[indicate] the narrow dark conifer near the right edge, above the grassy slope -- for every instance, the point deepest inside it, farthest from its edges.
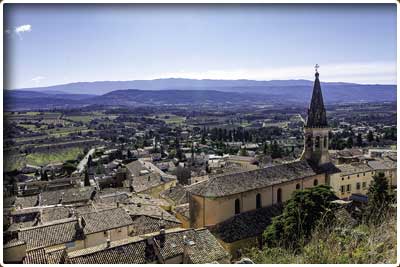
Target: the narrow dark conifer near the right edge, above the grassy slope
(378, 198)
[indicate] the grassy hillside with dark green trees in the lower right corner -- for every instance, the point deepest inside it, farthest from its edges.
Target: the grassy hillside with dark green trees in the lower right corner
(335, 236)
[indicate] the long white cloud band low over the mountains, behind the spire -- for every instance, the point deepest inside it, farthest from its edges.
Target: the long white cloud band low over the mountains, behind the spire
(366, 73)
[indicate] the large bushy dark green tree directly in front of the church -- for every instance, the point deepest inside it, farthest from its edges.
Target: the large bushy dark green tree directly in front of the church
(303, 211)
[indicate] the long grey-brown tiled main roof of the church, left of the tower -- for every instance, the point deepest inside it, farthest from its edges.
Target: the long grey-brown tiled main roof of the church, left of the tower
(234, 183)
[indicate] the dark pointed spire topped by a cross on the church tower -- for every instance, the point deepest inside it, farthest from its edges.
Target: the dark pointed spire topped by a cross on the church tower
(316, 113)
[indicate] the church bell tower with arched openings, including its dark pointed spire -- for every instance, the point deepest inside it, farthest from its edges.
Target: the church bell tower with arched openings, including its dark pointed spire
(316, 130)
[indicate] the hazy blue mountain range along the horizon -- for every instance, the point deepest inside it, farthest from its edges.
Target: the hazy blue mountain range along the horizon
(190, 91)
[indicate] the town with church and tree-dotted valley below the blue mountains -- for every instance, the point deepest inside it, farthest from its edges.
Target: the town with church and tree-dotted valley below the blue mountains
(193, 185)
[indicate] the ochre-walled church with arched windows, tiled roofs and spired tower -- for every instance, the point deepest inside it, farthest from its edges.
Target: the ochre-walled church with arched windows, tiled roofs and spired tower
(237, 207)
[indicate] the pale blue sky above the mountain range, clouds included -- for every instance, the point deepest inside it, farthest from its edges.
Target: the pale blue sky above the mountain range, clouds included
(56, 44)
